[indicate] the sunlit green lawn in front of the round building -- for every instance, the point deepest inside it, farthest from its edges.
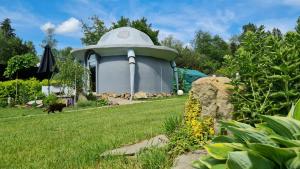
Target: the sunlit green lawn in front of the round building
(75, 139)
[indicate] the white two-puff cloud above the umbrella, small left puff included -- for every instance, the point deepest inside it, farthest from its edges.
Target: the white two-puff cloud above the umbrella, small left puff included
(70, 27)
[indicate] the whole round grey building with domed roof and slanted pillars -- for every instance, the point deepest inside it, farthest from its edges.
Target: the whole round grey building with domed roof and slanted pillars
(125, 60)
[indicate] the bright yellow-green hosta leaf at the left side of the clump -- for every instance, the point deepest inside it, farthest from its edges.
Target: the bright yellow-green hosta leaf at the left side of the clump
(220, 150)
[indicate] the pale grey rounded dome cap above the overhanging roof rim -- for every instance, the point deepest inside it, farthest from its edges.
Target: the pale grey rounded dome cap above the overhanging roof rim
(124, 36)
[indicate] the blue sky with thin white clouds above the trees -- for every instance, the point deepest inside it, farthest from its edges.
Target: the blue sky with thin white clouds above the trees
(181, 18)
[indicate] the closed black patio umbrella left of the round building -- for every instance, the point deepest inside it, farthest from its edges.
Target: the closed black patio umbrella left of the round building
(47, 65)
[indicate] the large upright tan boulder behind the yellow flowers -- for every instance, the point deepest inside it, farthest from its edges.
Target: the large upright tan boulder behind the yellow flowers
(213, 94)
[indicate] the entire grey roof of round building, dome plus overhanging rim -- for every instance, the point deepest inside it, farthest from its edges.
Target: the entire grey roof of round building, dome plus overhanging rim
(117, 42)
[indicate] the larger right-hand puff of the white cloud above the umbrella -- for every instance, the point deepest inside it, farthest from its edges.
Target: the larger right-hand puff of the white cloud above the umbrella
(69, 26)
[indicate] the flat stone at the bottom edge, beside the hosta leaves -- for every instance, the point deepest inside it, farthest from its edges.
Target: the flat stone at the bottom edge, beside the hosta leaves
(185, 161)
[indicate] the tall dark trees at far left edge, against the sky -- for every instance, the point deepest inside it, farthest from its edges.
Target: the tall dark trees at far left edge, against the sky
(10, 44)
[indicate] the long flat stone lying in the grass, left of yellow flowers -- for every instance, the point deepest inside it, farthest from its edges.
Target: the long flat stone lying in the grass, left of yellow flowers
(130, 150)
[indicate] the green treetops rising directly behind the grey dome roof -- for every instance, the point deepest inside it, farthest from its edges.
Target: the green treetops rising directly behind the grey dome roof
(93, 32)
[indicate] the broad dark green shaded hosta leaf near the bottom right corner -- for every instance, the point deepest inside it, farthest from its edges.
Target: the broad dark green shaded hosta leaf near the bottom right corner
(276, 154)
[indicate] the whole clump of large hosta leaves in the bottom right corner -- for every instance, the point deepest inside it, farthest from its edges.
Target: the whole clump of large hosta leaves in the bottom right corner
(275, 143)
